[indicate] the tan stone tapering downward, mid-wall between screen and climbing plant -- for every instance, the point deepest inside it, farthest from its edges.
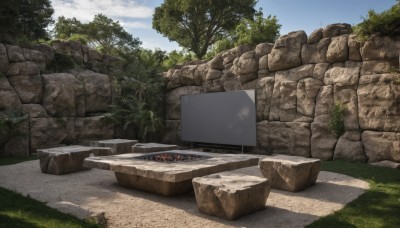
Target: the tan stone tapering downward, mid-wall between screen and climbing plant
(307, 91)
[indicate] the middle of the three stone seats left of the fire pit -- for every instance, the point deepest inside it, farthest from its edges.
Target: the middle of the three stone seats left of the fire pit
(117, 146)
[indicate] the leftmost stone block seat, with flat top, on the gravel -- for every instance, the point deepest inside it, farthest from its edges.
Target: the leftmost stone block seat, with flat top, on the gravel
(67, 159)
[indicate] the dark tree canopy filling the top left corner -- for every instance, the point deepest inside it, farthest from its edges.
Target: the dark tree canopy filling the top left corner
(25, 19)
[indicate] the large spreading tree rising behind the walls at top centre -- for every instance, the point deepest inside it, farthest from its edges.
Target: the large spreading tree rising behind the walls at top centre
(196, 25)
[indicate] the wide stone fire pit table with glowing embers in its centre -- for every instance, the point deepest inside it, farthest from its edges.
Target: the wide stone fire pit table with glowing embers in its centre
(167, 173)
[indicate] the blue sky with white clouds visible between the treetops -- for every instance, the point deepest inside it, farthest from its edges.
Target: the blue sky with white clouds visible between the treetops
(136, 15)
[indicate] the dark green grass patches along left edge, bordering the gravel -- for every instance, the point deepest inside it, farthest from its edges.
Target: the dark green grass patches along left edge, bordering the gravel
(19, 211)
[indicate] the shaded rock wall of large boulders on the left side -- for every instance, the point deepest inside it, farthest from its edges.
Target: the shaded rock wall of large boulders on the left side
(51, 107)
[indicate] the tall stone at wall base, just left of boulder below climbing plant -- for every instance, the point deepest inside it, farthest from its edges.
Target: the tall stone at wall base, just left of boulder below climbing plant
(323, 140)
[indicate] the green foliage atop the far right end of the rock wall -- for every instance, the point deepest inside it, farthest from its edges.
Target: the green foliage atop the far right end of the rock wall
(386, 23)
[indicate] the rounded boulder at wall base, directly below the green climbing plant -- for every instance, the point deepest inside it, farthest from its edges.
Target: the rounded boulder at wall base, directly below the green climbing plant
(349, 147)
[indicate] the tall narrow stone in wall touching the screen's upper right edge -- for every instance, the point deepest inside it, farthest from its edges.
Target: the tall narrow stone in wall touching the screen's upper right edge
(264, 90)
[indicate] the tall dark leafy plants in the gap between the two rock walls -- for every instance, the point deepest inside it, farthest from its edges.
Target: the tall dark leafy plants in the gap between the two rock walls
(139, 99)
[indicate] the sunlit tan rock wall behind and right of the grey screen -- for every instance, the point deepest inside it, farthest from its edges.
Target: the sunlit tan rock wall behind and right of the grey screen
(298, 80)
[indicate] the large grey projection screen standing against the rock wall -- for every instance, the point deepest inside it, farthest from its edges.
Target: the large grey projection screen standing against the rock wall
(221, 118)
